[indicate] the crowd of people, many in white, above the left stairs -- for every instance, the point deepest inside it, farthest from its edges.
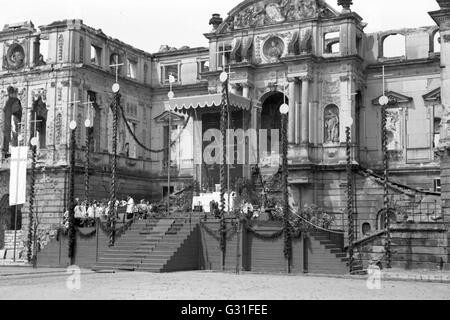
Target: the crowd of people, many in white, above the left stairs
(88, 212)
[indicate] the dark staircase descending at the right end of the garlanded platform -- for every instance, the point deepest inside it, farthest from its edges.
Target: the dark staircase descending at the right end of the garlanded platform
(332, 247)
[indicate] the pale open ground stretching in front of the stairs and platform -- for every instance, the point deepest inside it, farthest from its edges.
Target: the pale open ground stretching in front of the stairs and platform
(204, 286)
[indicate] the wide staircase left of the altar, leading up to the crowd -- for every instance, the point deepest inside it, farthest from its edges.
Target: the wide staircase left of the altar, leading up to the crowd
(149, 246)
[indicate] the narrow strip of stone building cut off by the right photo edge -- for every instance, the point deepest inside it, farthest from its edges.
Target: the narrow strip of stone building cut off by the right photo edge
(442, 18)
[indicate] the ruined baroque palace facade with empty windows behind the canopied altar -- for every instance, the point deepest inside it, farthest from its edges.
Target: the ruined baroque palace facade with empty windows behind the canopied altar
(320, 61)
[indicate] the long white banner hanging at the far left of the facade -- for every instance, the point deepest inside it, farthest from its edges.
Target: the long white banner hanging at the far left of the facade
(18, 176)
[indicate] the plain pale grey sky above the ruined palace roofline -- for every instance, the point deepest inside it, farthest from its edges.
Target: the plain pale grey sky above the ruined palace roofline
(147, 24)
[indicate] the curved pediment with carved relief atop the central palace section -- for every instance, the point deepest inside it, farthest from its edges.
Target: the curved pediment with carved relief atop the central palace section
(257, 13)
